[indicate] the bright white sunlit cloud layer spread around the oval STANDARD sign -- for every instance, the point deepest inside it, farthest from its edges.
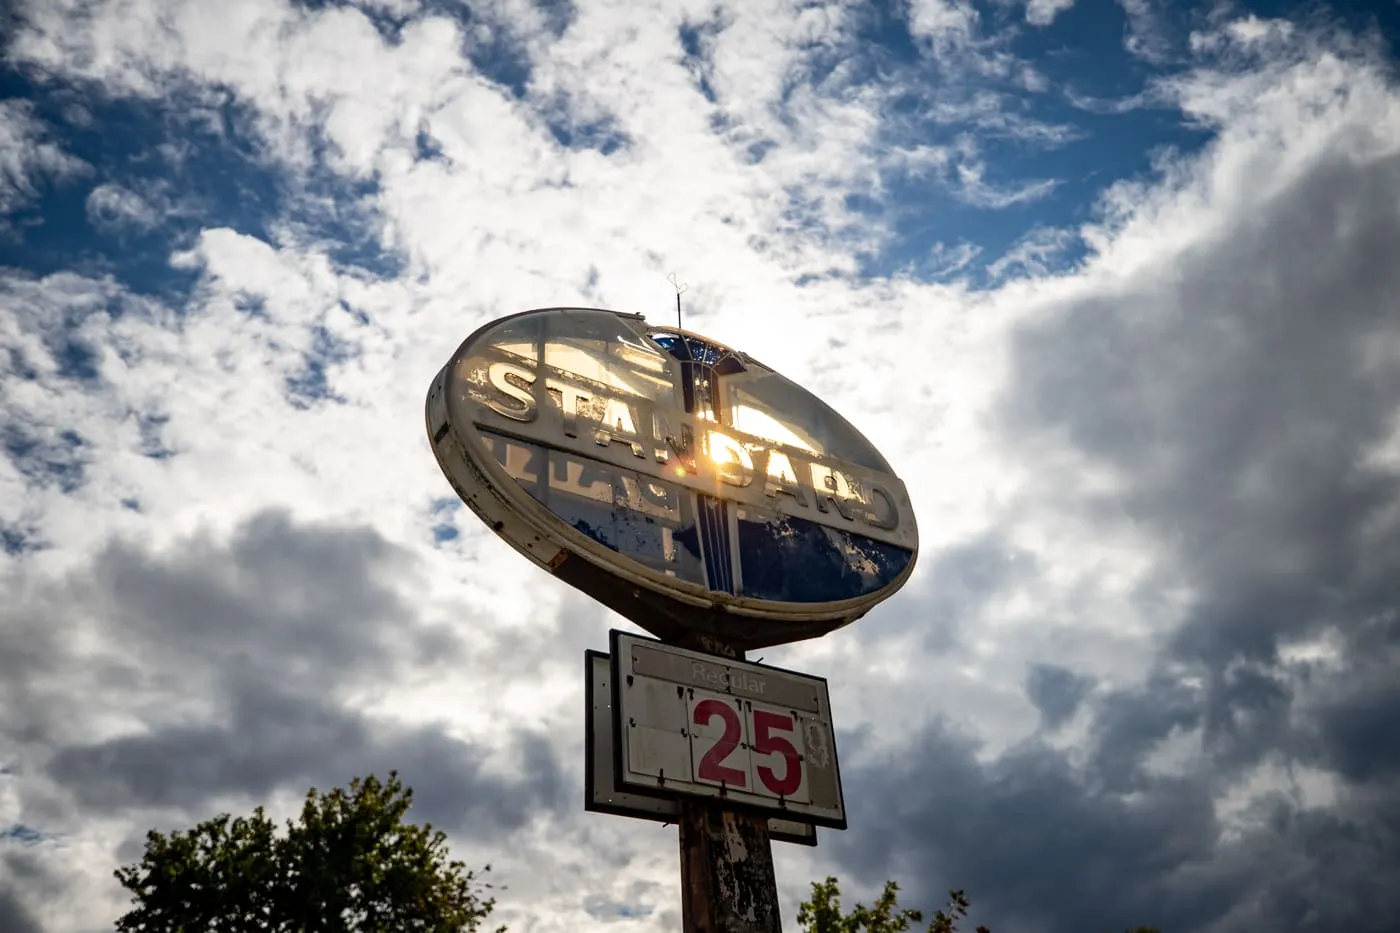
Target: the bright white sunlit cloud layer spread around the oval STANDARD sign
(509, 218)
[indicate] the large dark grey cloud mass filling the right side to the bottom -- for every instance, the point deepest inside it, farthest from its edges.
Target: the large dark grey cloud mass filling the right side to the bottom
(1238, 397)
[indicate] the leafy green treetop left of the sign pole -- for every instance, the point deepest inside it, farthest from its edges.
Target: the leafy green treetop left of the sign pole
(349, 865)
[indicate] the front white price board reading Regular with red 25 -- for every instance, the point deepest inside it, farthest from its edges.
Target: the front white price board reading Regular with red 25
(702, 726)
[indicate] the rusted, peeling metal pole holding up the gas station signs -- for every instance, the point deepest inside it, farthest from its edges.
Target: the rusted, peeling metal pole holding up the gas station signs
(727, 882)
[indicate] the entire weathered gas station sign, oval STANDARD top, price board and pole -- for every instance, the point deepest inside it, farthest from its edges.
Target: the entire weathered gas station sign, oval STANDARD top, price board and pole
(723, 509)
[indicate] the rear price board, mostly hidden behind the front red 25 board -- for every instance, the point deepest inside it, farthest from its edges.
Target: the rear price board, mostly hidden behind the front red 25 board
(600, 782)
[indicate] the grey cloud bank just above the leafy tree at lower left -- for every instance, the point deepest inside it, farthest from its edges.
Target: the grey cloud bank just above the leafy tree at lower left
(258, 641)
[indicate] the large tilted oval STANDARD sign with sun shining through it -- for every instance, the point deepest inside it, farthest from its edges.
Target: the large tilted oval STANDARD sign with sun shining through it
(680, 483)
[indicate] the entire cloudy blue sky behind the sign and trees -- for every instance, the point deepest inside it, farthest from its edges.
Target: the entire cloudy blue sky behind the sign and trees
(1111, 285)
